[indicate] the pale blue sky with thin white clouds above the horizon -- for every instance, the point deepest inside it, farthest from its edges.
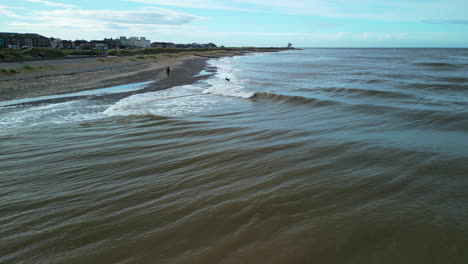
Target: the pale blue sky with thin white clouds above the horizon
(265, 23)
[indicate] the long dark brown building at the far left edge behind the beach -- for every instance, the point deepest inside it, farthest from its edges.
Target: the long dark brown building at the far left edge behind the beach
(18, 40)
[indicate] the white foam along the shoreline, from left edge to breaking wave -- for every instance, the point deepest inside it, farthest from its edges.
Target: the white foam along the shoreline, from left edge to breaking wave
(209, 95)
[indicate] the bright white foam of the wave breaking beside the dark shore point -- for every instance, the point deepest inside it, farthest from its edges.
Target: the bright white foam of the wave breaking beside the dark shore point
(188, 99)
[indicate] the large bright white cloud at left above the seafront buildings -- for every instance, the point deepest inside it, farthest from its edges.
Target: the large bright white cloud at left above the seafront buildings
(88, 24)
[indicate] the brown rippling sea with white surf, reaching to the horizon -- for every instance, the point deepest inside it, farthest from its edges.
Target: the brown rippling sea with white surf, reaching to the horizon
(303, 156)
